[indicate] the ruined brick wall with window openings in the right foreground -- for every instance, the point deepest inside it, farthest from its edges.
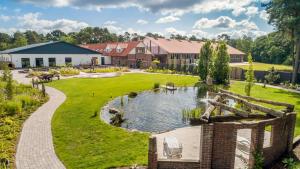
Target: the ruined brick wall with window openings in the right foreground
(218, 144)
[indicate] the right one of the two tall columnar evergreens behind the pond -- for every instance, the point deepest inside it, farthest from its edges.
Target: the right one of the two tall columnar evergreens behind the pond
(221, 64)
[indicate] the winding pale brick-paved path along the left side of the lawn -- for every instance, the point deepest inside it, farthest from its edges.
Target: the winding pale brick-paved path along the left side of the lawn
(35, 148)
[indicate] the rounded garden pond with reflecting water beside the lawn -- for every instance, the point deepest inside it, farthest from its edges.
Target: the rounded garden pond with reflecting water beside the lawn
(157, 111)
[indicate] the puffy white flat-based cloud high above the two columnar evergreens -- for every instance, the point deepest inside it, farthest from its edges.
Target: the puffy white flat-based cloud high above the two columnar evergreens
(220, 22)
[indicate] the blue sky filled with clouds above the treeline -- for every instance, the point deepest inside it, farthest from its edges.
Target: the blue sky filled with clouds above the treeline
(202, 18)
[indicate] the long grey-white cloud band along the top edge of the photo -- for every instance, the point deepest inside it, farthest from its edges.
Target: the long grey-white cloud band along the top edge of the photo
(166, 7)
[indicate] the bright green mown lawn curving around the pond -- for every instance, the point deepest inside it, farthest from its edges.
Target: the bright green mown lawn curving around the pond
(83, 141)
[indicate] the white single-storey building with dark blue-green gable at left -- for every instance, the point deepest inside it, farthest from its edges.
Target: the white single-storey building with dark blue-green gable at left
(51, 54)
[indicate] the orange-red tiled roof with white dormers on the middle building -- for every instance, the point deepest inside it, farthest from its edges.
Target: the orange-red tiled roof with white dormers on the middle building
(125, 47)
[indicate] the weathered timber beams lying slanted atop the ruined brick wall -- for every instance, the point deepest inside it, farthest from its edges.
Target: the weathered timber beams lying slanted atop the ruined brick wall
(249, 104)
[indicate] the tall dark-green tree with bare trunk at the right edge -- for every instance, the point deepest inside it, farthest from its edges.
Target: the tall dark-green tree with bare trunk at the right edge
(285, 16)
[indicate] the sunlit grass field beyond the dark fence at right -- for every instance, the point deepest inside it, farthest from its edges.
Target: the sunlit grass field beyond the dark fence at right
(266, 67)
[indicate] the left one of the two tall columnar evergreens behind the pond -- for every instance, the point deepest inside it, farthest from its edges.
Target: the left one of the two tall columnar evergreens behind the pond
(205, 60)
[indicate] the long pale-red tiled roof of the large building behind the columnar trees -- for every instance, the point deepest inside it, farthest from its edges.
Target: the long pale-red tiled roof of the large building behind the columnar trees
(184, 46)
